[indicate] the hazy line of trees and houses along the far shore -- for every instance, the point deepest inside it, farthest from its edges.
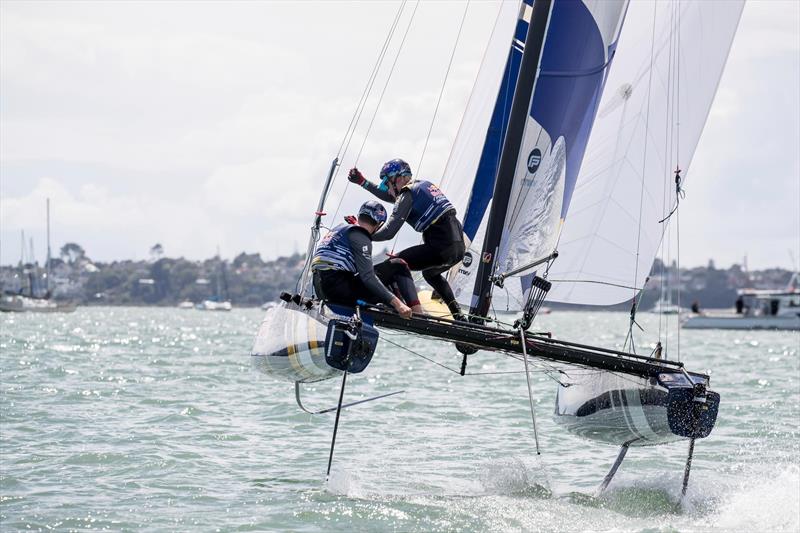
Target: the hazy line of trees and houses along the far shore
(248, 280)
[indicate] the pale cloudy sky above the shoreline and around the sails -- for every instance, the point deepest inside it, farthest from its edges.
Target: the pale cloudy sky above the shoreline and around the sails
(205, 124)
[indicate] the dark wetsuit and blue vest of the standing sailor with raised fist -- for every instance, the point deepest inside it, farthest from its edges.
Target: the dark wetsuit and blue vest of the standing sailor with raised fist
(425, 208)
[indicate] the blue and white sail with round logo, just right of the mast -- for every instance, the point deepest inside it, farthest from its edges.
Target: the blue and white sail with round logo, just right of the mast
(579, 44)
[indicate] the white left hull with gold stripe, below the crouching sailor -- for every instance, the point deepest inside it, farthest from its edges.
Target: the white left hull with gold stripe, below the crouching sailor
(290, 345)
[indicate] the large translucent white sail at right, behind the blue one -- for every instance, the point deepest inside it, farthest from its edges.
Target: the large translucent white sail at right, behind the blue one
(668, 64)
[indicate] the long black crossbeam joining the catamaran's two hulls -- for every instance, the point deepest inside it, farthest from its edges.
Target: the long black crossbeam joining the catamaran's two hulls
(504, 340)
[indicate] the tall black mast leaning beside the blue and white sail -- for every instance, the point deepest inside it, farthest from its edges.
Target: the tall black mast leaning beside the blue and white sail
(509, 155)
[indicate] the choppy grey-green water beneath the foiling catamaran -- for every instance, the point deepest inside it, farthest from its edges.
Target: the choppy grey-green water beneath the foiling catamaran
(132, 418)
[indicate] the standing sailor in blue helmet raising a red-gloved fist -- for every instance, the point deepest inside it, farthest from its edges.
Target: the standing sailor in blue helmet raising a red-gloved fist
(424, 206)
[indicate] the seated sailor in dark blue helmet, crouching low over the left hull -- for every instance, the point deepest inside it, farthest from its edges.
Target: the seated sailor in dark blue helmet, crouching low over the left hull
(342, 266)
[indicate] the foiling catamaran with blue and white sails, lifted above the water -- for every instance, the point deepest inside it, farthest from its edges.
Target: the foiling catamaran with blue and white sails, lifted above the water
(567, 168)
